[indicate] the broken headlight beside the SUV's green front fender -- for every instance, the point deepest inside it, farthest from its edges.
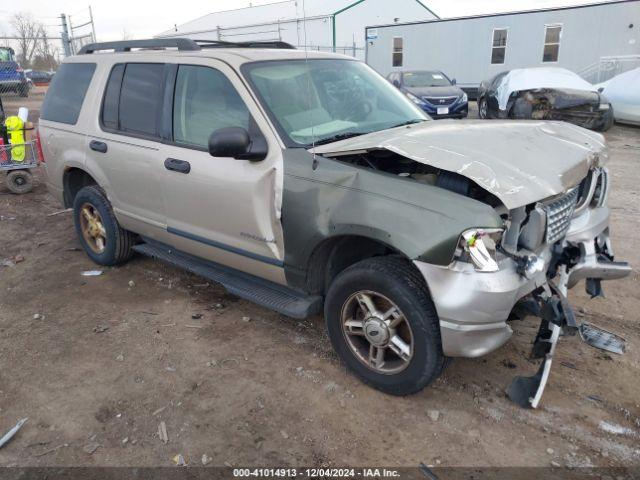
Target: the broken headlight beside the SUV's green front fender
(479, 246)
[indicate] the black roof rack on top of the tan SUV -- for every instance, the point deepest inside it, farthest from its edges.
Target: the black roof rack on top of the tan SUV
(182, 44)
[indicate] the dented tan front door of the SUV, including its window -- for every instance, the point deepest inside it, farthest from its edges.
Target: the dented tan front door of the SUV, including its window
(222, 209)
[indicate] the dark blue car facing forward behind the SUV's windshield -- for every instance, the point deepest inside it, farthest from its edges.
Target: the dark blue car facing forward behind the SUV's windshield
(433, 92)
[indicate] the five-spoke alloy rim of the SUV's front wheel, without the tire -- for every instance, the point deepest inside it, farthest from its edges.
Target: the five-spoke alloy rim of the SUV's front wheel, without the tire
(377, 332)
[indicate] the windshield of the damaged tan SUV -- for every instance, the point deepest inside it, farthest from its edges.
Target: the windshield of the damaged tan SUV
(319, 100)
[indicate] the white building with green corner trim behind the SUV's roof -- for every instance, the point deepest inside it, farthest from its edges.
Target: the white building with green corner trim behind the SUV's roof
(326, 25)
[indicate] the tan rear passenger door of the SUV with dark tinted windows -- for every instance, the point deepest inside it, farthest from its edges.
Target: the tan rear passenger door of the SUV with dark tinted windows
(127, 146)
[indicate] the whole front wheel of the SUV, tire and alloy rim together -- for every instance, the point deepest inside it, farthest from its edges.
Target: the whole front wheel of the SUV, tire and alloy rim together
(383, 325)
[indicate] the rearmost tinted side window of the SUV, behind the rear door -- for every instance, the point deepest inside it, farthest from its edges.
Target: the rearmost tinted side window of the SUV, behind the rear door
(66, 93)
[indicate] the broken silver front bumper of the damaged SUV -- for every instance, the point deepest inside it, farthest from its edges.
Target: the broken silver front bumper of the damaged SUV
(473, 307)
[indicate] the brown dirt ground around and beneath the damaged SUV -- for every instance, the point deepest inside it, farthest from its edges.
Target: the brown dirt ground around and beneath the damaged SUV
(97, 363)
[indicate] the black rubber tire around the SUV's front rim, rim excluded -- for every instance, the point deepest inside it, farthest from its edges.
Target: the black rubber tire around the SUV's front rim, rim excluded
(398, 280)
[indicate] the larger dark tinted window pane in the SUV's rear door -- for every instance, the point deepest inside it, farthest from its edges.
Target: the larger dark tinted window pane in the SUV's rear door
(141, 98)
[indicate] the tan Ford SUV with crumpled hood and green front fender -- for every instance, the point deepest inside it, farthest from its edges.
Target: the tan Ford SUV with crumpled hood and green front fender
(307, 183)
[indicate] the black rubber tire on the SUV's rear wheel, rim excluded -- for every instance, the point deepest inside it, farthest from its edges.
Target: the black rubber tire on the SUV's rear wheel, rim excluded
(118, 247)
